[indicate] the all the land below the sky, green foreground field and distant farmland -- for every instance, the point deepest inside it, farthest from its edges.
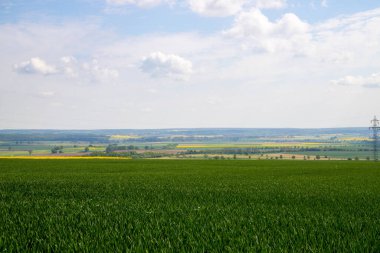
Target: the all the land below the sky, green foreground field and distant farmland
(191, 190)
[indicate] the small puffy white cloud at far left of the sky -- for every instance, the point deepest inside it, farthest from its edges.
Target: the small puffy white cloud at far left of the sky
(35, 65)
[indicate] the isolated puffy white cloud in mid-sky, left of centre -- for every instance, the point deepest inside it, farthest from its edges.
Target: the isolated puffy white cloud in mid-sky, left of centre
(167, 65)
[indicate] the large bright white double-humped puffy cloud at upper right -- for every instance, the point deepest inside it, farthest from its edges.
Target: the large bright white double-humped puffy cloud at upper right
(255, 30)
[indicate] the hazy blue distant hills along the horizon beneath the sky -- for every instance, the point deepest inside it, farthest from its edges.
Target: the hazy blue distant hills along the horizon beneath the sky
(231, 134)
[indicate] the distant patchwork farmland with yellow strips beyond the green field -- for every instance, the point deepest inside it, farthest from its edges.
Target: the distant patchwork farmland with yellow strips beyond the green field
(300, 144)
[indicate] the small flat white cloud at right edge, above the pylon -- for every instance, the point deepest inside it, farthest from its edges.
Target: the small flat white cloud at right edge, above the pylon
(372, 81)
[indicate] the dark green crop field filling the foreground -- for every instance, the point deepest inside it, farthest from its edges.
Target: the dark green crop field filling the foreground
(189, 206)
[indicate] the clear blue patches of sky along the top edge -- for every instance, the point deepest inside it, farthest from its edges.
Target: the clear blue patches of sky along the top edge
(130, 19)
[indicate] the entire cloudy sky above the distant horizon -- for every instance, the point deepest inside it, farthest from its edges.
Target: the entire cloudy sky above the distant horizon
(122, 64)
